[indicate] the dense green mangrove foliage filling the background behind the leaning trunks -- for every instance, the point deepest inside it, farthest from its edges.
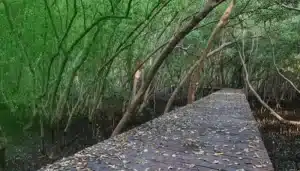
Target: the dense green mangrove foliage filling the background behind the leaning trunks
(100, 41)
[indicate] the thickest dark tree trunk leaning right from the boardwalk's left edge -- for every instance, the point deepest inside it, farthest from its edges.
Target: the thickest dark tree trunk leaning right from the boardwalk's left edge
(209, 6)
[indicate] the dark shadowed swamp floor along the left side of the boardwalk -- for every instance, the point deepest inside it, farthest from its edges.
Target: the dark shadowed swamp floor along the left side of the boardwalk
(23, 148)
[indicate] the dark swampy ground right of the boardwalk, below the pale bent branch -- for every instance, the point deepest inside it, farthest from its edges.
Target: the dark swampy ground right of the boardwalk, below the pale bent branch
(281, 140)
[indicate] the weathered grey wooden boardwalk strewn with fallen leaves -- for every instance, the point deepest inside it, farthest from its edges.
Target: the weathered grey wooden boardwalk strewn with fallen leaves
(217, 132)
